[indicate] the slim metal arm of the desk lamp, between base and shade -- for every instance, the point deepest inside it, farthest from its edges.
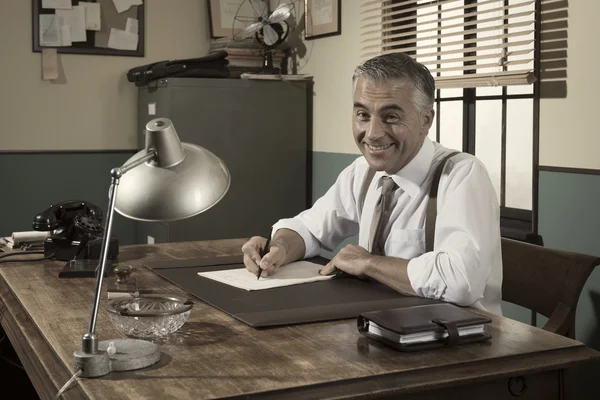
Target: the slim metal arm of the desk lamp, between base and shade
(89, 340)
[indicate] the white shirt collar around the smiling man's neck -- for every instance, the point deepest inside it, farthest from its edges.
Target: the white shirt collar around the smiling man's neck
(411, 177)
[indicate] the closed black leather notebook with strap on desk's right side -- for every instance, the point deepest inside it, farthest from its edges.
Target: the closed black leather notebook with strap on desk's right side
(423, 326)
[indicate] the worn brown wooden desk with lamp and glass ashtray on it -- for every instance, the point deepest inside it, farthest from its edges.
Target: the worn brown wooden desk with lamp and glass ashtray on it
(215, 356)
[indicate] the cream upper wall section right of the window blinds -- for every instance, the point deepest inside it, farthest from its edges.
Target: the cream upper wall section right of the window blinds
(569, 128)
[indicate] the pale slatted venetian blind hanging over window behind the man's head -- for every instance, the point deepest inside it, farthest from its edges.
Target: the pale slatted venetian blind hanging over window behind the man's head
(464, 43)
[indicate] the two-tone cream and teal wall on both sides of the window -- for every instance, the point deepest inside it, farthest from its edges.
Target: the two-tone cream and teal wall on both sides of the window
(568, 216)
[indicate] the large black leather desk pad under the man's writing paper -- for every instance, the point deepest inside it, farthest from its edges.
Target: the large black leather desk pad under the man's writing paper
(334, 299)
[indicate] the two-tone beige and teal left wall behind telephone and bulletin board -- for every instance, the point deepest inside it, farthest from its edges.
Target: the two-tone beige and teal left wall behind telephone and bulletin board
(87, 118)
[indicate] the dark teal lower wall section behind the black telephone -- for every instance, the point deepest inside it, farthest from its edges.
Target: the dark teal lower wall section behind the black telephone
(32, 182)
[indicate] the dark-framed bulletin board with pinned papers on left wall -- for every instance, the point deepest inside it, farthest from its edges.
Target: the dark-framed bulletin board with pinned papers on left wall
(95, 27)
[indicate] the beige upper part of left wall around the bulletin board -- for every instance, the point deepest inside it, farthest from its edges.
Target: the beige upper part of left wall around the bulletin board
(95, 109)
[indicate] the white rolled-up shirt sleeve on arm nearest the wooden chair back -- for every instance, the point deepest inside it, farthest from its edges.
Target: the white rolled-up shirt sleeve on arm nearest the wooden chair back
(466, 236)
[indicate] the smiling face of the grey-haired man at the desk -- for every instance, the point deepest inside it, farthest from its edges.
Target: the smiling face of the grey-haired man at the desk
(388, 129)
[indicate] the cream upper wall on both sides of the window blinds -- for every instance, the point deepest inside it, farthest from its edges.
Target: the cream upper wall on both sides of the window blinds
(569, 133)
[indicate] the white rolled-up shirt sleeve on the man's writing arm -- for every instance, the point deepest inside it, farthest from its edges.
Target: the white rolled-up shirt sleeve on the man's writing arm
(331, 219)
